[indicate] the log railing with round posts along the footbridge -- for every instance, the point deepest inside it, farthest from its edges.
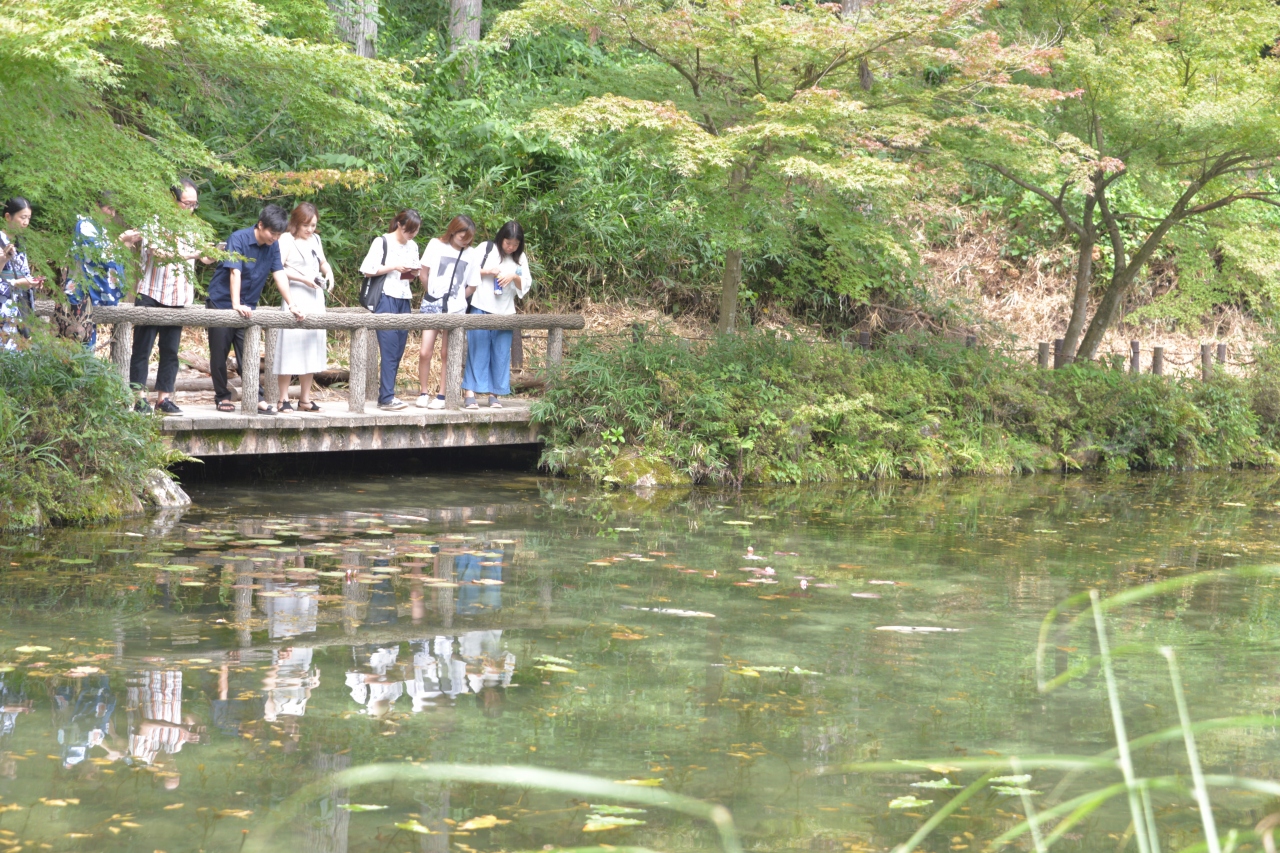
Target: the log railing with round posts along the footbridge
(359, 322)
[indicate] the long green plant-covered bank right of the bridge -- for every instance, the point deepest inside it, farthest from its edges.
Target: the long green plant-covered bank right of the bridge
(762, 409)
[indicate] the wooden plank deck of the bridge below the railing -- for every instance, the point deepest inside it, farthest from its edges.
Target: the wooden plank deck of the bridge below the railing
(202, 431)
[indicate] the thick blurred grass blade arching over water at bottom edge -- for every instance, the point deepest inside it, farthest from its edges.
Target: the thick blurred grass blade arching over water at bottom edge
(579, 784)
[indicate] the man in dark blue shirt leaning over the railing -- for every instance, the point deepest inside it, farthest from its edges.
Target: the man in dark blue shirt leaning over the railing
(237, 285)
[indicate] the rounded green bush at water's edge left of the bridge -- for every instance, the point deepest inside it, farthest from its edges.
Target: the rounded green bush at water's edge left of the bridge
(74, 448)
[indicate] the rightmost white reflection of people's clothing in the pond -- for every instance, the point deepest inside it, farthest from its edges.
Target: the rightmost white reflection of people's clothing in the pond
(437, 672)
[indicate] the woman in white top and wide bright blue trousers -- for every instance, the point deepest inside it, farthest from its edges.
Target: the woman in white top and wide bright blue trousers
(504, 277)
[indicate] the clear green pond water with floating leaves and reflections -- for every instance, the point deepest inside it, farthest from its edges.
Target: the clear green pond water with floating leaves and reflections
(316, 630)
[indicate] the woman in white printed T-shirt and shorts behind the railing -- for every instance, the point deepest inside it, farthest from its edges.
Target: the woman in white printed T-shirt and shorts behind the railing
(449, 271)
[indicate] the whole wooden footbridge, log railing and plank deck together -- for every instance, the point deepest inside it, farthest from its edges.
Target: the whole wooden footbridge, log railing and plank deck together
(203, 431)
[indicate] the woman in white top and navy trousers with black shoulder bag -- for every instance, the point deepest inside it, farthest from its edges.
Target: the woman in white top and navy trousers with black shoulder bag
(395, 256)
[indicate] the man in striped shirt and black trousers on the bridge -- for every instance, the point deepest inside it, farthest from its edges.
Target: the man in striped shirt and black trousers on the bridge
(168, 272)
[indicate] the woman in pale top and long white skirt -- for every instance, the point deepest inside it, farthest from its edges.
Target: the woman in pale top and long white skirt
(303, 353)
